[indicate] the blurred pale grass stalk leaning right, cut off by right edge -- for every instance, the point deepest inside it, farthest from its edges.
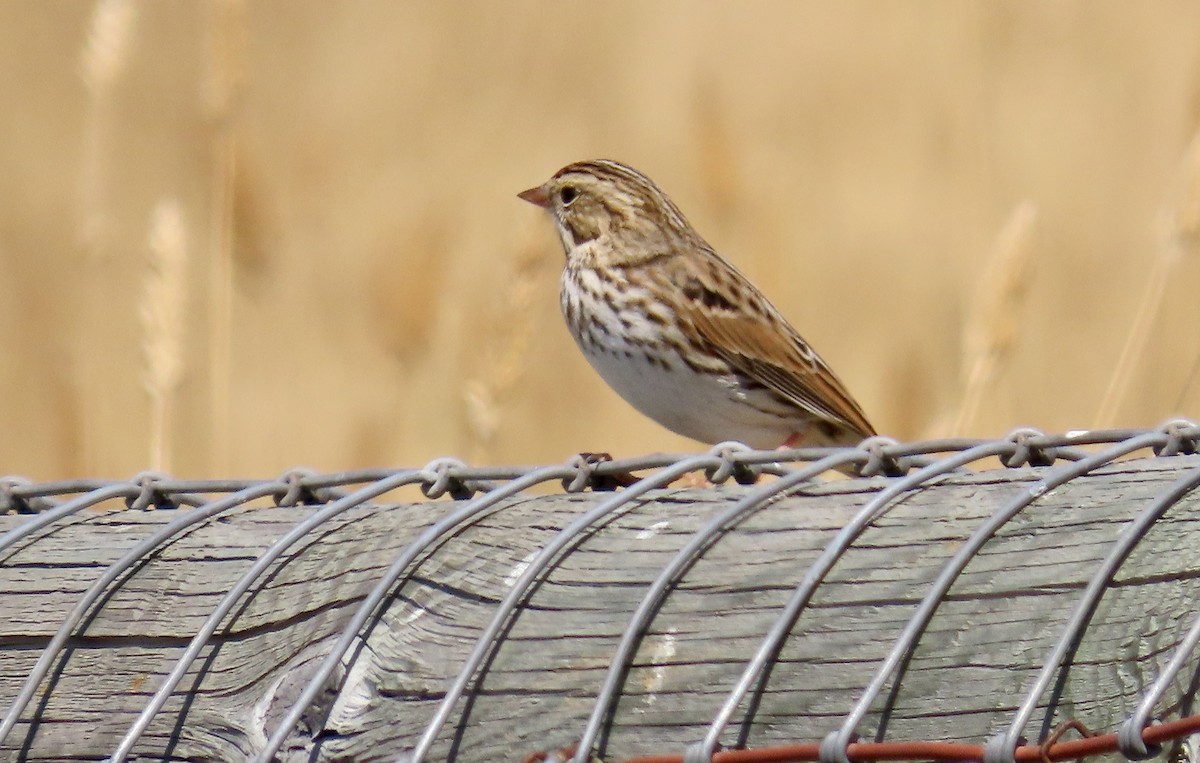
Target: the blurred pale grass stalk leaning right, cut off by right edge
(1180, 231)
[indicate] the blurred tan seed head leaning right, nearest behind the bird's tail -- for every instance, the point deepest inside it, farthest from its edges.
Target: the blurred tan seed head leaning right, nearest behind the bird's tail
(994, 322)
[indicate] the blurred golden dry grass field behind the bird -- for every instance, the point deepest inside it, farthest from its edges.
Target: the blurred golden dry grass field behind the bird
(243, 236)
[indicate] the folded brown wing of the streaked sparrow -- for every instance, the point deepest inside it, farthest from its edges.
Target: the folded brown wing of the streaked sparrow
(761, 345)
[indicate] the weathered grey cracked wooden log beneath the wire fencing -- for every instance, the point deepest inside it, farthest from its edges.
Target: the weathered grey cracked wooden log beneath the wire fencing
(971, 669)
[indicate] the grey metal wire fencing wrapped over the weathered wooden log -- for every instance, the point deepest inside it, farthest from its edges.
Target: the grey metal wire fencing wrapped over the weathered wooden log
(479, 490)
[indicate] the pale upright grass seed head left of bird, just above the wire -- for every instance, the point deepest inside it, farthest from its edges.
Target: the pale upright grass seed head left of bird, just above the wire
(161, 313)
